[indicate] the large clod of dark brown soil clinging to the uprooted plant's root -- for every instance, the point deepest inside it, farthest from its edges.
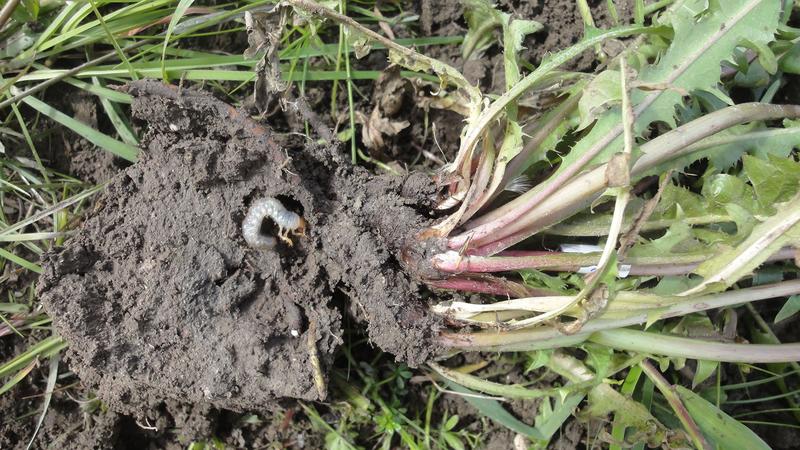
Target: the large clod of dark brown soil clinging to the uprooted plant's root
(160, 297)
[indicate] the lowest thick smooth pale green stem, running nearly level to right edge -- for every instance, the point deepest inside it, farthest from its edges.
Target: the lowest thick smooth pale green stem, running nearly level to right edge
(683, 347)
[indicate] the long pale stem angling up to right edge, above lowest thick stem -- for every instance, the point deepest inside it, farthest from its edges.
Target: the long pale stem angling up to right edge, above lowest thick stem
(661, 308)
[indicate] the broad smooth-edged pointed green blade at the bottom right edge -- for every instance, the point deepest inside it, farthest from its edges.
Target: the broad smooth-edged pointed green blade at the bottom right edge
(719, 428)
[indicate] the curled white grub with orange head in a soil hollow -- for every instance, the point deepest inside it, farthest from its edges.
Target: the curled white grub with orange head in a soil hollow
(286, 220)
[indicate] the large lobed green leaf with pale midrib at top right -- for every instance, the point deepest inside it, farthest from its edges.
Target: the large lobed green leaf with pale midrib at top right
(692, 62)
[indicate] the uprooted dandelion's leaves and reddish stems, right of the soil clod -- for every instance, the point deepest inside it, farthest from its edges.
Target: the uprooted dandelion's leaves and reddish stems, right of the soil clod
(664, 183)
